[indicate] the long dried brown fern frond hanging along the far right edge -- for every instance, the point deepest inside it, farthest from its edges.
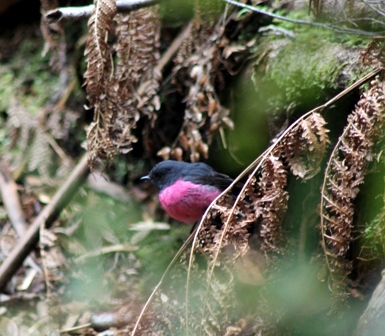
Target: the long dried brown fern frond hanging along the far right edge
(345, 171)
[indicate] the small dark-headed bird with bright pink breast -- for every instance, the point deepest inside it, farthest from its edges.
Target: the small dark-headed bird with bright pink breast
(185, 190)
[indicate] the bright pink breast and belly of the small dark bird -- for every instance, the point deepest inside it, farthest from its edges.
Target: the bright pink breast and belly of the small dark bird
(186, 201)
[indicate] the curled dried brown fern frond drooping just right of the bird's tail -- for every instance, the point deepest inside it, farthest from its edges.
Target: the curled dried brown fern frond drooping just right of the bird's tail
(263, 196)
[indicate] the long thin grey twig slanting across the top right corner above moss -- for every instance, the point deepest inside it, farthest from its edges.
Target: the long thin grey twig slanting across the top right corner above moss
(303, 22)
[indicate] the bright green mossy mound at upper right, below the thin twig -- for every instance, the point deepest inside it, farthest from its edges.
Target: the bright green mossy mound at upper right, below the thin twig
(308, 69)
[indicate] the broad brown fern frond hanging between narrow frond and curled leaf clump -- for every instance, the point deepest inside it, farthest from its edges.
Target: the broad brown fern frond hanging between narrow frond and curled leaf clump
(137, 49)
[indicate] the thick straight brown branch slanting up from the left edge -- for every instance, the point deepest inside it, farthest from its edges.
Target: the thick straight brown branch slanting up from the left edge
(49, 214)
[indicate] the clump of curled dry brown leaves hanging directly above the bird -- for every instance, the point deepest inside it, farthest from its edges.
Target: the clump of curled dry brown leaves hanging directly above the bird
(195, 73)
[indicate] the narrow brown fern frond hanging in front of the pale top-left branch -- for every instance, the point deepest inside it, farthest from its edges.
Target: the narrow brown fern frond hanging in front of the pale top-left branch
(100, 84)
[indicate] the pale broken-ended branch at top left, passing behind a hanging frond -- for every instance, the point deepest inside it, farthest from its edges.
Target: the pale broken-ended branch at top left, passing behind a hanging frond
(76, 13)
